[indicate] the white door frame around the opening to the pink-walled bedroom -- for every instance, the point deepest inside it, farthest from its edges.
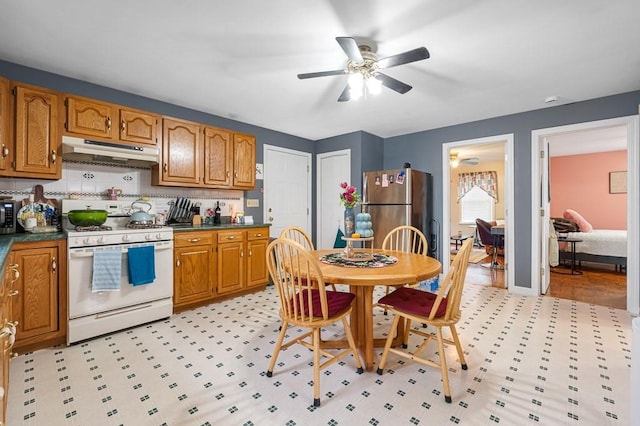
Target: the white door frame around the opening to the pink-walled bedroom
(541, 209)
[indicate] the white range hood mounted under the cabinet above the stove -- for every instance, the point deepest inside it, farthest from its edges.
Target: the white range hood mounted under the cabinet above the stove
(80, 149)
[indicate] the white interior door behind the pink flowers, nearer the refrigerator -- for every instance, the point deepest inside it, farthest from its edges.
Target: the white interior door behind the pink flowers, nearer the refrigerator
(333, 168)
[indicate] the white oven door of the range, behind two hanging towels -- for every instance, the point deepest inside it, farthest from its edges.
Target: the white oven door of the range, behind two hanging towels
(83, 301)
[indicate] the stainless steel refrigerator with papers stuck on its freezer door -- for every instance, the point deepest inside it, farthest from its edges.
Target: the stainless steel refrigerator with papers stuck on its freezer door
(398, 197)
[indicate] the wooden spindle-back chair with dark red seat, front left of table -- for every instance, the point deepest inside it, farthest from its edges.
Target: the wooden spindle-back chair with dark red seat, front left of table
(305, 303)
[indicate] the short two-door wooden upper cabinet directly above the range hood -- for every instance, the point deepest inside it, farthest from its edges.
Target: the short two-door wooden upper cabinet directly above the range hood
(110, 122)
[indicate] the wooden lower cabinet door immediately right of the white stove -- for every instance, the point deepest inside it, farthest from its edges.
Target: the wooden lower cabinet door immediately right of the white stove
(192, 274)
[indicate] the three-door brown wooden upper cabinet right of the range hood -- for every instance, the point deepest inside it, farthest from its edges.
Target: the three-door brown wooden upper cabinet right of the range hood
(204, 156)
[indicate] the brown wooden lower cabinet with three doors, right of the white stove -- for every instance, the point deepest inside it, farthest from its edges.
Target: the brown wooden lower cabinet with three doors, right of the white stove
(211, 265)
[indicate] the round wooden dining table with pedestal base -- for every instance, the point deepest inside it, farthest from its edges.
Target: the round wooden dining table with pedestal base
(410, 268)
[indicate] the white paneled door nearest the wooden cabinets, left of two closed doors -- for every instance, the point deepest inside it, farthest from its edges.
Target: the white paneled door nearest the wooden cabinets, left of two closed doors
(287, 189)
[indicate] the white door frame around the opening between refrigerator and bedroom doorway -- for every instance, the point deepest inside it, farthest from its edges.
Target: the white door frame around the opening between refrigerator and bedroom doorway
(506, 181)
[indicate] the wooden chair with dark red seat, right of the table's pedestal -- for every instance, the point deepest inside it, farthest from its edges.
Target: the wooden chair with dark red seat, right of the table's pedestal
(438, 310)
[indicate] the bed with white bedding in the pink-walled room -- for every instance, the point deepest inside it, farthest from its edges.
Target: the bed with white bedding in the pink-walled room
(600, 245)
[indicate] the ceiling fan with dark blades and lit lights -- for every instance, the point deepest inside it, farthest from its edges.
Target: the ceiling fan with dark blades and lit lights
(363, 68)
